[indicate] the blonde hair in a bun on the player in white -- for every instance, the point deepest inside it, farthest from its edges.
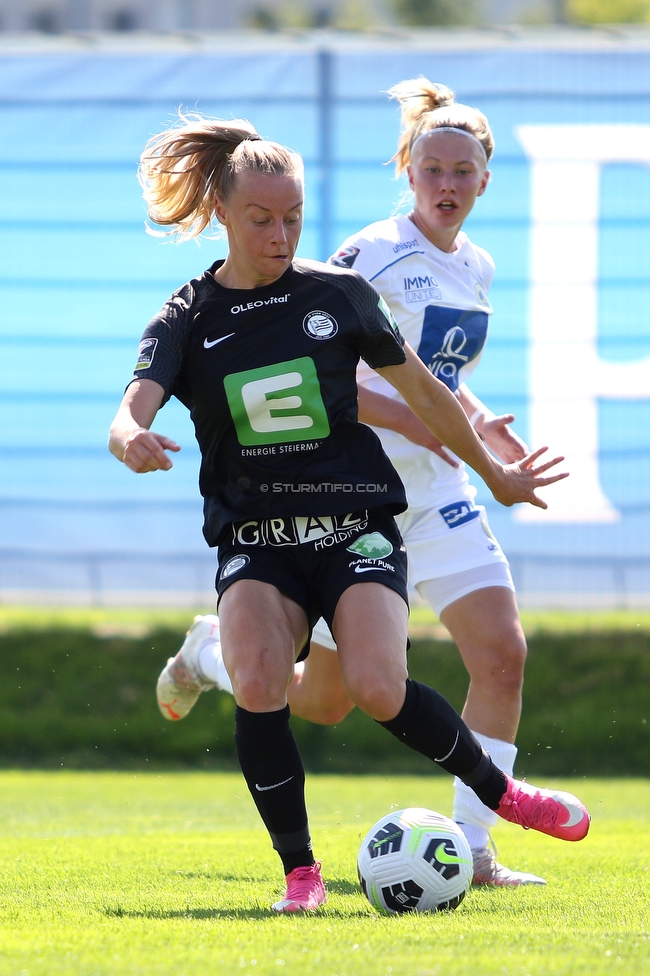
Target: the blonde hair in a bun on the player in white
(426, 105)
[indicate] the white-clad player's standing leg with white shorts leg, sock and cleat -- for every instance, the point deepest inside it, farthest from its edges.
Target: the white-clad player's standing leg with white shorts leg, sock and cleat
(462, 573)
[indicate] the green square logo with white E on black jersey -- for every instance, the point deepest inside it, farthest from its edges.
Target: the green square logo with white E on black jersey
(277, 403)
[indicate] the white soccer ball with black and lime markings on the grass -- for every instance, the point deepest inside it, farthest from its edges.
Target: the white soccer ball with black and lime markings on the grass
(415, 860)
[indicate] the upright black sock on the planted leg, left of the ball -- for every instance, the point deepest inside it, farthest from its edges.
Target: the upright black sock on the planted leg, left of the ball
(274, 773)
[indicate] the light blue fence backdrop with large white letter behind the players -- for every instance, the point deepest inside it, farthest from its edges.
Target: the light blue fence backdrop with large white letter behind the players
(566, 217)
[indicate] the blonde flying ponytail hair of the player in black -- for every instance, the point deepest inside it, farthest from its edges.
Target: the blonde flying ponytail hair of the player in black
(186, 168)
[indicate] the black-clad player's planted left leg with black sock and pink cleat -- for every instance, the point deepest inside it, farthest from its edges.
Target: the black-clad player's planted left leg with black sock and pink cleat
(262, 633)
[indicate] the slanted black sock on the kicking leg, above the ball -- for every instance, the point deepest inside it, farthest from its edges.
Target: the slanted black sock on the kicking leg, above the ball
(429, 724)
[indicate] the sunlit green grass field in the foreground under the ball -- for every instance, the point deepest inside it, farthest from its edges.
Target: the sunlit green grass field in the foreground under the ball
(122, 873)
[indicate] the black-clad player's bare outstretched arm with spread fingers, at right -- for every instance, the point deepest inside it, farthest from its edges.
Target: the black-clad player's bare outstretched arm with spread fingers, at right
(439, 409)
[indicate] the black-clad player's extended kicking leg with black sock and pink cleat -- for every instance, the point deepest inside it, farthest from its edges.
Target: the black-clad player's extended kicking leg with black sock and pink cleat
(370, 627)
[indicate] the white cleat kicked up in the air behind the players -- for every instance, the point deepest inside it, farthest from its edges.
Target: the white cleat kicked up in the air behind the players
(181, 681)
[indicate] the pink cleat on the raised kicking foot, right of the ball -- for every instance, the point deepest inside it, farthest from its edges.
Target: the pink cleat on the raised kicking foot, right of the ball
(549, 811)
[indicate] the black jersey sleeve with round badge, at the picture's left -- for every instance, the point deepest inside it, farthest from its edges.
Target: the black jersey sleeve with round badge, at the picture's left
(160, 353)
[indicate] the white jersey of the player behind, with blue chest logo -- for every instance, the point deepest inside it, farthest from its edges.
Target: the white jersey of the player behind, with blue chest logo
(441, 305)
